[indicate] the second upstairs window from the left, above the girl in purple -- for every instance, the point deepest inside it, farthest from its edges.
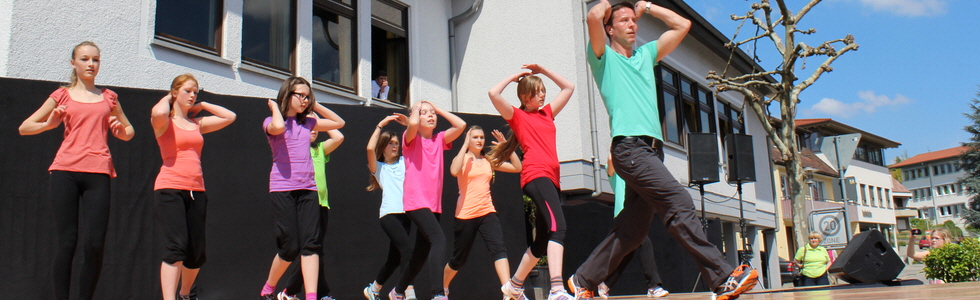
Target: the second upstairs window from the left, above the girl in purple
(269, 33)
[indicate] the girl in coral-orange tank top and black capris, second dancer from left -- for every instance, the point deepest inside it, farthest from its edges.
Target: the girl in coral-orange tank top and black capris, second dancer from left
(181, 204)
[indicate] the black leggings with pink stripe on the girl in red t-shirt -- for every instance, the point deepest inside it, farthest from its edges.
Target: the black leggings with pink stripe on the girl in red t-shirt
(549, 221)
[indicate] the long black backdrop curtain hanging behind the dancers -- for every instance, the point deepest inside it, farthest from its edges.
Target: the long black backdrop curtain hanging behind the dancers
(241, 242)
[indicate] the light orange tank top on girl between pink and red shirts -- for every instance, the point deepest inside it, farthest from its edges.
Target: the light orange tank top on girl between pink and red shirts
(474, 189)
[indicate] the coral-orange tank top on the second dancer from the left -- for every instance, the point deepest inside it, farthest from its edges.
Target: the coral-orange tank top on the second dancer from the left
(181, 152)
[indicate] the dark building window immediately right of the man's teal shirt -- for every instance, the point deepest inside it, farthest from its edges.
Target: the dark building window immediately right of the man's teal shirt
(687, 106)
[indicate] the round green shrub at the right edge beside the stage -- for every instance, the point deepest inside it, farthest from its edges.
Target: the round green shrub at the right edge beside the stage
(954, 262)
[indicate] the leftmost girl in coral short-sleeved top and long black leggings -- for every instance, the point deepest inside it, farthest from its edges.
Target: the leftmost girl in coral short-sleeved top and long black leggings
(81, 170)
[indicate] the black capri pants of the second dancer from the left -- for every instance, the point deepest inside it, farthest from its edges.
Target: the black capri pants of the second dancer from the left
(181, 217)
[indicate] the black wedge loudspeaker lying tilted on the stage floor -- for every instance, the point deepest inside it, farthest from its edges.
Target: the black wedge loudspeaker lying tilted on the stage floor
(867, 258)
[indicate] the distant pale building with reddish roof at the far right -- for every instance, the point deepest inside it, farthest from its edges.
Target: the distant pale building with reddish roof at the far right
(931, 178)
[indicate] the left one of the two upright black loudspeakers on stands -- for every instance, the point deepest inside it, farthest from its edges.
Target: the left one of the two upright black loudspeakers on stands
(702, 158)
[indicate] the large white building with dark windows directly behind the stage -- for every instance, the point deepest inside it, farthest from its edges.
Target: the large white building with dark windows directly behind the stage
(448, 52)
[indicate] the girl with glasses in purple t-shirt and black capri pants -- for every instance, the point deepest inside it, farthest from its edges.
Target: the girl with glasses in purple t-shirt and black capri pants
(292, 187)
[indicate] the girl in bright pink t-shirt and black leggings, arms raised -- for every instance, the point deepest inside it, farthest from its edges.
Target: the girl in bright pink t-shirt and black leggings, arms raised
(422, 152)
